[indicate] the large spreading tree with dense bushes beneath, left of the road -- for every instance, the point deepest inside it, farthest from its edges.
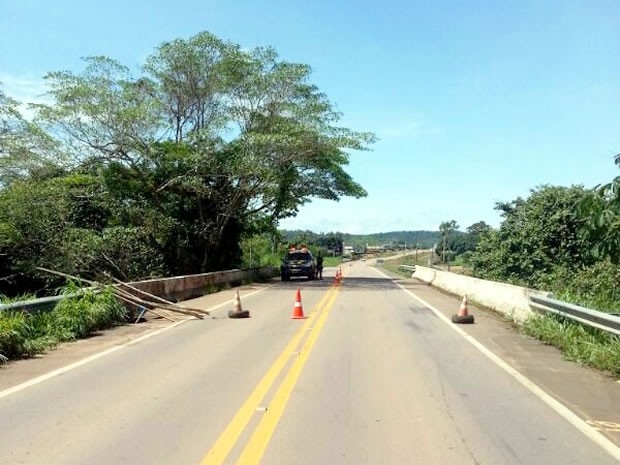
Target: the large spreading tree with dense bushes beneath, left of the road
(206, 143)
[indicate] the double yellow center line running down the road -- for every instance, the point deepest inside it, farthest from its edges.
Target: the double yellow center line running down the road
(257, 444)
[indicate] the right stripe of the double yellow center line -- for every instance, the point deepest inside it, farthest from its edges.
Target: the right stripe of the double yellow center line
(257, 444)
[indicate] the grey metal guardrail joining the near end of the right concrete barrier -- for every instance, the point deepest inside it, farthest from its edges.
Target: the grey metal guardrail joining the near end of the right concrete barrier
(608, 322)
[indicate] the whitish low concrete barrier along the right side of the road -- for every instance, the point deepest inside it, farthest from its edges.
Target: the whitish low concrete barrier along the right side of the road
(511, 301)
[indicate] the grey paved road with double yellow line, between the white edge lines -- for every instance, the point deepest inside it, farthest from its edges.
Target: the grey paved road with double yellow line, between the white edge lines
(371, 377)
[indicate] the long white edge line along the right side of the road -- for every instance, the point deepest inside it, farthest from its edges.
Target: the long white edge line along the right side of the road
(559, 408)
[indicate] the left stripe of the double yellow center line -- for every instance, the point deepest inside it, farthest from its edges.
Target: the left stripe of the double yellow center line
(226, 441)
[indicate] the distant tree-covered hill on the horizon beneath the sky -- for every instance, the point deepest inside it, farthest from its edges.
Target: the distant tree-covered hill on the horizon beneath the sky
(423, 239)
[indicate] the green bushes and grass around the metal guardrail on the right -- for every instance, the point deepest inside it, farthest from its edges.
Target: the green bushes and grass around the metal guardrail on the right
(565, 240)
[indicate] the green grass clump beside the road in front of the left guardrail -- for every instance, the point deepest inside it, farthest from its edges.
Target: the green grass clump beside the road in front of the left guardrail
(24, 335)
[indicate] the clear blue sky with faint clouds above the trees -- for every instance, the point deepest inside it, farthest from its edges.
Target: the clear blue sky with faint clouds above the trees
(474, 102)
